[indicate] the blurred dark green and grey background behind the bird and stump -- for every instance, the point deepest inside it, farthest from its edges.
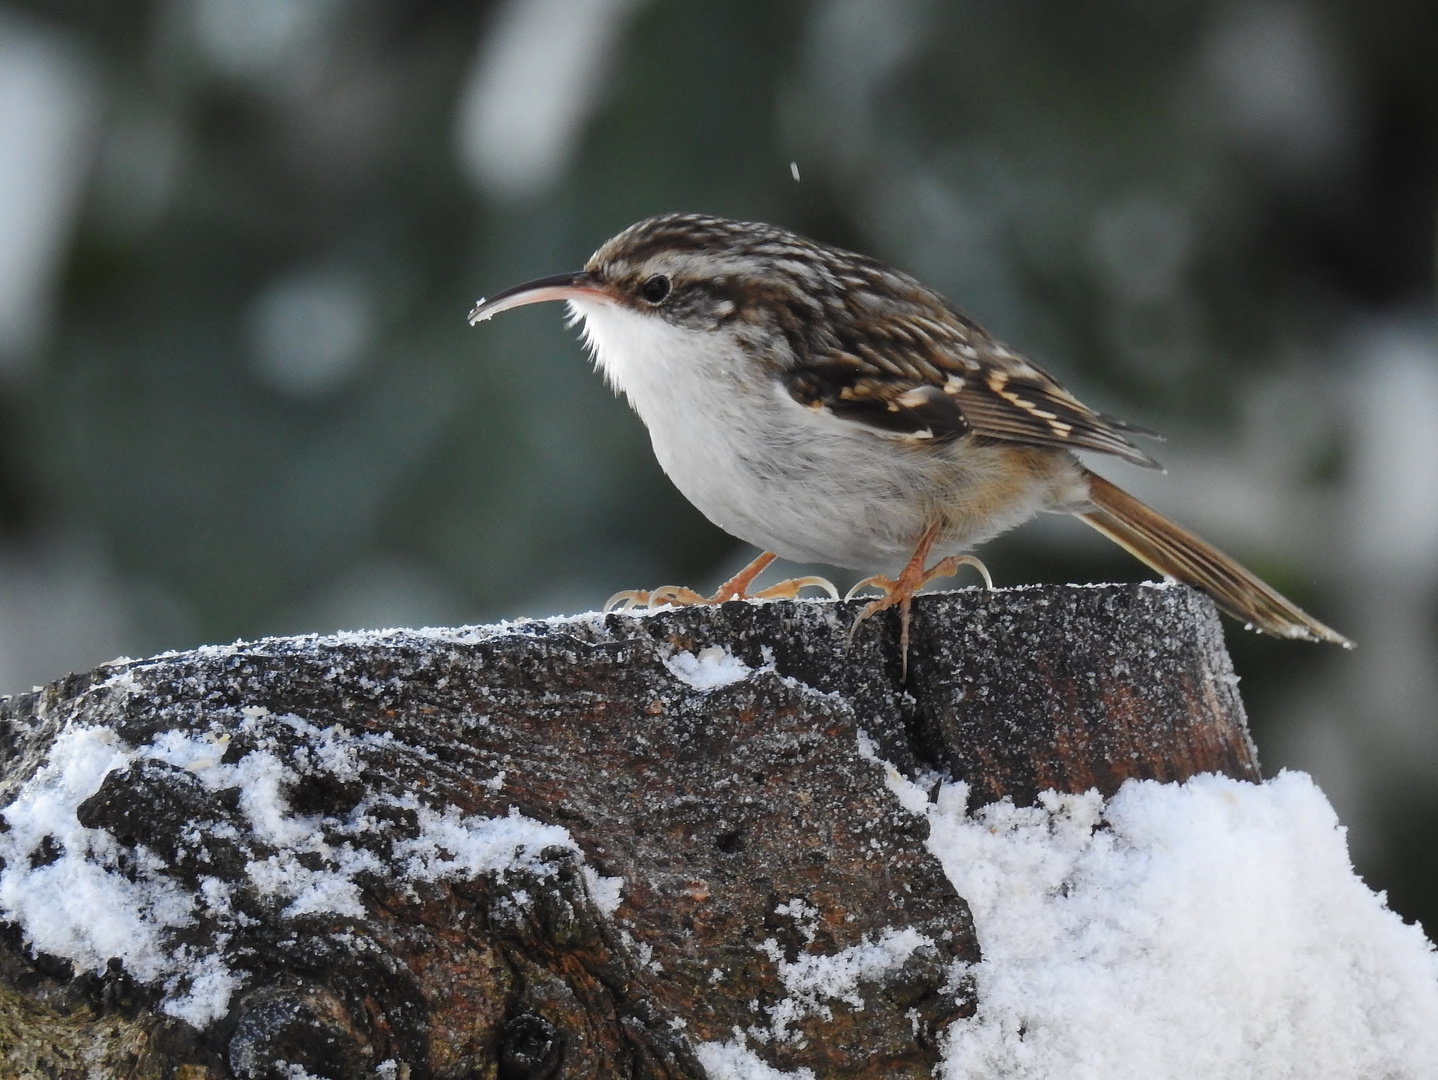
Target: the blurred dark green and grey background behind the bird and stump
(239, 238)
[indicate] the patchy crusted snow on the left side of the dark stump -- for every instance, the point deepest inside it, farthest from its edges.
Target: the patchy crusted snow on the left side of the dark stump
(80, 895)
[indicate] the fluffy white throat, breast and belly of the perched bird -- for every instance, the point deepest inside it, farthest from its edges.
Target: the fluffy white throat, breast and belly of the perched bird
(766, 470)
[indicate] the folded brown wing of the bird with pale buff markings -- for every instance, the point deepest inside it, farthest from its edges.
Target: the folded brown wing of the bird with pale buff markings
(941, 377)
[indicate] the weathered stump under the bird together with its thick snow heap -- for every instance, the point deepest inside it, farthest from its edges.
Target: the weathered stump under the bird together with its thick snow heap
(715, 842)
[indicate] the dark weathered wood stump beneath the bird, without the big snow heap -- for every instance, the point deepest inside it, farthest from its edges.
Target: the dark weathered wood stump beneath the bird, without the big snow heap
(605, 846)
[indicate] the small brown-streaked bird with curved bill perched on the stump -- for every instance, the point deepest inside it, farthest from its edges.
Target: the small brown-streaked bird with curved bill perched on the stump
(828, 408)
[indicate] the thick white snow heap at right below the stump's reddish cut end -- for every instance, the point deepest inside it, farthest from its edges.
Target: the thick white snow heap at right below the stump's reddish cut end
(1212, 928)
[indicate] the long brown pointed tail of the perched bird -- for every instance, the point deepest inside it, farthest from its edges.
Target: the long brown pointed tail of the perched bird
(1180, 554)
